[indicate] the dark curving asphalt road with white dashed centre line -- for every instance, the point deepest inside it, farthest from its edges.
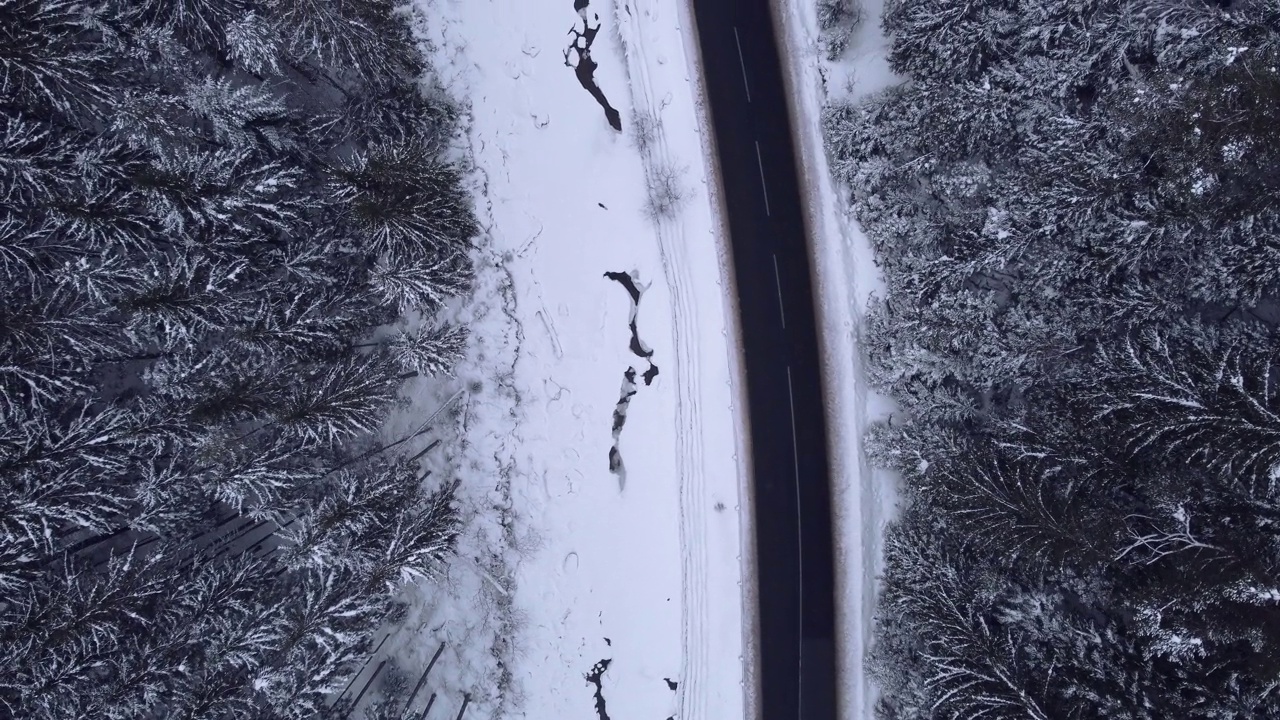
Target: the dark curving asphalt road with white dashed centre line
(784, 384)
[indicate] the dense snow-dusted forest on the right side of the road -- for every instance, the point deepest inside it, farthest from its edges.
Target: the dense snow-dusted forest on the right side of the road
(1075, 206)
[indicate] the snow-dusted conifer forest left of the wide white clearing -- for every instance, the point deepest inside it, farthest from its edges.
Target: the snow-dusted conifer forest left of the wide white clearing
(226, 227)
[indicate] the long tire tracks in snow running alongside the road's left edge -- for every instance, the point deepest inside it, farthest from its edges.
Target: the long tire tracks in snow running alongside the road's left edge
(692, 696)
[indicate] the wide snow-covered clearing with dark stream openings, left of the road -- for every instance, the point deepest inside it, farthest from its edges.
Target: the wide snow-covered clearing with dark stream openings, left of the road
(596, 431)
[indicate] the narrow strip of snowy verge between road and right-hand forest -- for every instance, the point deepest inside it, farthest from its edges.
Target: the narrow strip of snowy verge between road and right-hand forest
(847, 279)
